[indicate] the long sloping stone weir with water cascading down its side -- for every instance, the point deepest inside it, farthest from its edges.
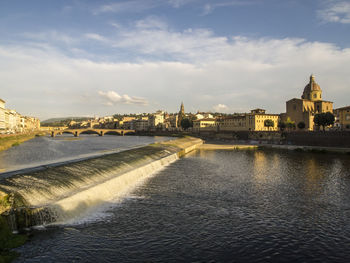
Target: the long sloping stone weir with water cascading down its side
(68, 191)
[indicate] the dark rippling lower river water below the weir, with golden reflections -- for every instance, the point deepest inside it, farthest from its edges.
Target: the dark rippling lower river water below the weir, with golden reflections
(218, 206)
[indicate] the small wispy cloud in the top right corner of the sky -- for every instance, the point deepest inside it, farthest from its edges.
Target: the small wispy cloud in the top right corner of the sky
(336, 12)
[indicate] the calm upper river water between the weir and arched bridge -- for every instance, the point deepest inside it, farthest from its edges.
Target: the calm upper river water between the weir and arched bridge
(44, 150)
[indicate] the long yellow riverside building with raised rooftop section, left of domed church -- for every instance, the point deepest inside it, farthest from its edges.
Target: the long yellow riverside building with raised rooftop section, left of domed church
(253, 121)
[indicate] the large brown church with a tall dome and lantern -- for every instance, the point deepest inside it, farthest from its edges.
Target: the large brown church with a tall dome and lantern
(311, 103)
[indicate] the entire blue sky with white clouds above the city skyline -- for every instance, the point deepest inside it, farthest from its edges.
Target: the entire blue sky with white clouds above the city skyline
(61, 58)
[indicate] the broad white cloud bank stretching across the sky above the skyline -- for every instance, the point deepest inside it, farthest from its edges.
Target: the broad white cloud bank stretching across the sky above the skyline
(194, 66)
